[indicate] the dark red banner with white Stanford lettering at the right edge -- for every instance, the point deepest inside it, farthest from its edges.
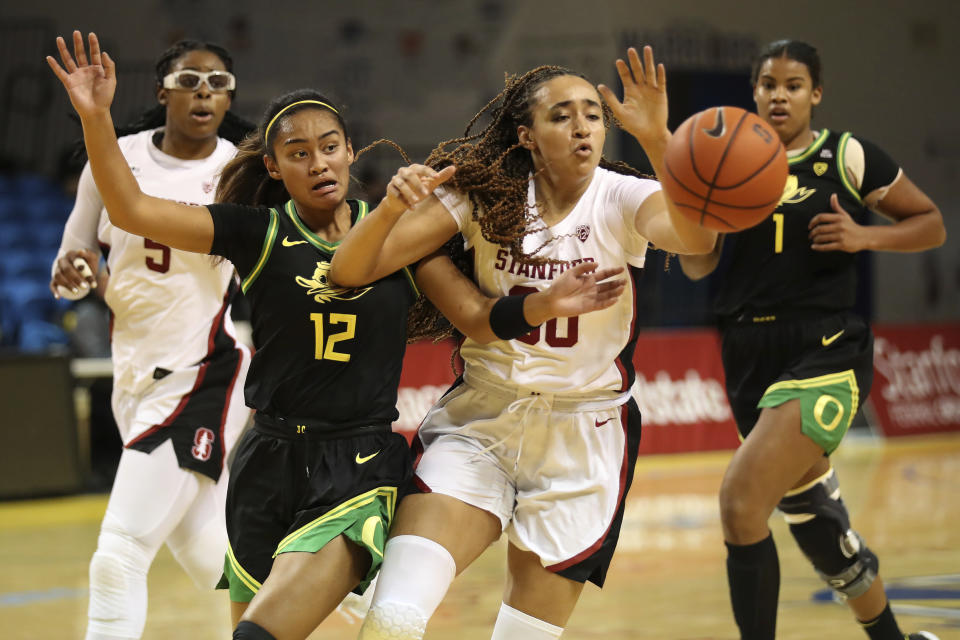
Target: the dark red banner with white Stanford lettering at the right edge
(916, 384)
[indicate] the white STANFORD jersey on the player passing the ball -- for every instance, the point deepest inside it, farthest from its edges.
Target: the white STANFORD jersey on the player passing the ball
(577, 355)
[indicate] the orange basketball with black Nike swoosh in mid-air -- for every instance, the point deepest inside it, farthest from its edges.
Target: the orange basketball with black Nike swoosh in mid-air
(725, 169)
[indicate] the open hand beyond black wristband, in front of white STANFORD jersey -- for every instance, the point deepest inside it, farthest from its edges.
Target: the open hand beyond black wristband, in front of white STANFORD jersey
(582, 289)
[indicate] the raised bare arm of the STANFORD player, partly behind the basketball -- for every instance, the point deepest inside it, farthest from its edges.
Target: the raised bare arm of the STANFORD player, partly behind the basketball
(643, 114)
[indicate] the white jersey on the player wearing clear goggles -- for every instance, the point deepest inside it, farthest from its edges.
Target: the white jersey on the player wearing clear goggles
(164, 301)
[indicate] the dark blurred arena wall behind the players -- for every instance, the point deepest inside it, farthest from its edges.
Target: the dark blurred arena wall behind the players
(417, 70)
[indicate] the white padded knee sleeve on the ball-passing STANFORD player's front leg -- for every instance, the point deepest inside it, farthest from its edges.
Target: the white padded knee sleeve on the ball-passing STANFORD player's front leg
(414, 577)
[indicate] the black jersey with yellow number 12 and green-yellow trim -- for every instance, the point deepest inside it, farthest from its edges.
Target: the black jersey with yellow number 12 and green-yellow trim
(331, 354)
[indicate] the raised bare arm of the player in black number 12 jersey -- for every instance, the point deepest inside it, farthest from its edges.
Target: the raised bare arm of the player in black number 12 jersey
(90, 83)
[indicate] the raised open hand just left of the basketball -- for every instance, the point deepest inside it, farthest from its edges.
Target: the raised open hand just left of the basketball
(643, 110)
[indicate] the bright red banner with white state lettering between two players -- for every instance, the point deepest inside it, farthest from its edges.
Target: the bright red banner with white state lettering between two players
(680, 391)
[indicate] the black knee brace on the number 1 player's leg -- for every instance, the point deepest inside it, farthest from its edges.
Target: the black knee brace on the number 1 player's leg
(820, 524)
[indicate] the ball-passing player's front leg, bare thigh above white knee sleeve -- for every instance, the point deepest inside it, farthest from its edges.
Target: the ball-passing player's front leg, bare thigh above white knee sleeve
(433, 539)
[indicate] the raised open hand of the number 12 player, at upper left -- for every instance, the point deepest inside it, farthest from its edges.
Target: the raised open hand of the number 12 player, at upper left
(90, 83)
